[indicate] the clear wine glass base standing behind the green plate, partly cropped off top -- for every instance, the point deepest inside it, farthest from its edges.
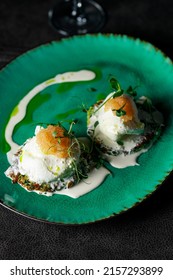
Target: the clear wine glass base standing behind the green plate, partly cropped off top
(90, 21)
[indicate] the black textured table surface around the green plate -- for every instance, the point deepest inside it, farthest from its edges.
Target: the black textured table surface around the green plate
(144, 232)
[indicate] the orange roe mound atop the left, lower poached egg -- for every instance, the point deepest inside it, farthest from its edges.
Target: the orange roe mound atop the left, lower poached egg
(52, 141)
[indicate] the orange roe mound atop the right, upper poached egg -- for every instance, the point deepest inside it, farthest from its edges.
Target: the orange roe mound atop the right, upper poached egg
(124, 102)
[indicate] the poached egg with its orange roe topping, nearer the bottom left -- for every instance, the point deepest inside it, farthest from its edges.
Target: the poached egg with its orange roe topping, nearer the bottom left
(47, 155)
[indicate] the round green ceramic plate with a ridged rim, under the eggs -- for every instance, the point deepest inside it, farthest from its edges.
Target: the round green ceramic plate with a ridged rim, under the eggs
(133, 62)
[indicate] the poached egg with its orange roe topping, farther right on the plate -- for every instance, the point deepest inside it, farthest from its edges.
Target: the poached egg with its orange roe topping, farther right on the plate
(114, 119)
